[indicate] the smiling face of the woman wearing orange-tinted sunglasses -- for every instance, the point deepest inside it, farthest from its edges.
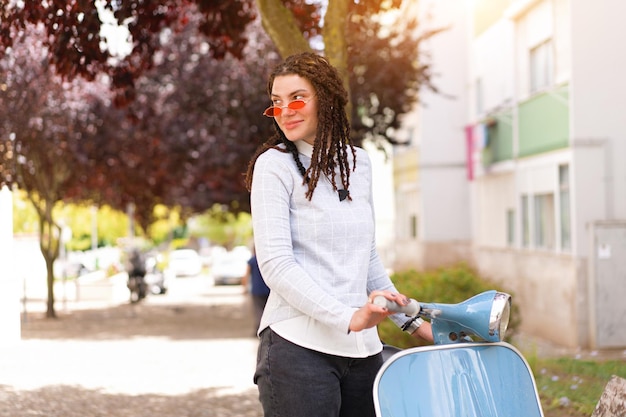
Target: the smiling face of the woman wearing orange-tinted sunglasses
(298, 124)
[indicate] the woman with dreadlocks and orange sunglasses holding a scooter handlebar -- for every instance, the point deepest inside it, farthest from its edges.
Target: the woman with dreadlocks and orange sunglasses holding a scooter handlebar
(313, 226)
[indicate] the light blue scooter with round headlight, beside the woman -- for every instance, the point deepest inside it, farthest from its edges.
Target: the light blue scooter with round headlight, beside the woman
(468, 372)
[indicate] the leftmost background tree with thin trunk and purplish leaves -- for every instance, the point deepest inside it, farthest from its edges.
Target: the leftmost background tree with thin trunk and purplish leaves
(43, 122)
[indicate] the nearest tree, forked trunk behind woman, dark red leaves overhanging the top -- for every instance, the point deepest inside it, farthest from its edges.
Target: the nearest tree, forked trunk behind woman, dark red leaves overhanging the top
(350, 35)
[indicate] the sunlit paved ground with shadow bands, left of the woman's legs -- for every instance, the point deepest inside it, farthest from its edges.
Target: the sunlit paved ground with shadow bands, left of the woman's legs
(190, 352)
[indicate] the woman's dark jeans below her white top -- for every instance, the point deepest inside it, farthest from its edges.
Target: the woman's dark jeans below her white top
(297, 382)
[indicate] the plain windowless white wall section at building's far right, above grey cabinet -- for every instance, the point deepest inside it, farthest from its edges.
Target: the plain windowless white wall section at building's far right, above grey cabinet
(597, 99)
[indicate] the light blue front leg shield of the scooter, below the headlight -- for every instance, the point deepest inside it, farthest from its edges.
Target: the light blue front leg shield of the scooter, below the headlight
(466, 379)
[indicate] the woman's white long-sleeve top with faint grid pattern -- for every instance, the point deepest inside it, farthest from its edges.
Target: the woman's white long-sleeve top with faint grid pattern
(318, 257)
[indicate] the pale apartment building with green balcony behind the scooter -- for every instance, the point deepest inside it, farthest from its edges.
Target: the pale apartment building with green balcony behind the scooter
(520, 174)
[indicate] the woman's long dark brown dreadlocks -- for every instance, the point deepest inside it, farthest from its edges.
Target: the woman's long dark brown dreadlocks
(330, 149)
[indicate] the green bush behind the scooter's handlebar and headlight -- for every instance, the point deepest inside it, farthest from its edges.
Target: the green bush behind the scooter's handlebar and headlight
(446, 285)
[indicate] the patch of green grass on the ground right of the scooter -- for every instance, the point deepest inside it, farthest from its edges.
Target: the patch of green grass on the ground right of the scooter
(573, 384)
